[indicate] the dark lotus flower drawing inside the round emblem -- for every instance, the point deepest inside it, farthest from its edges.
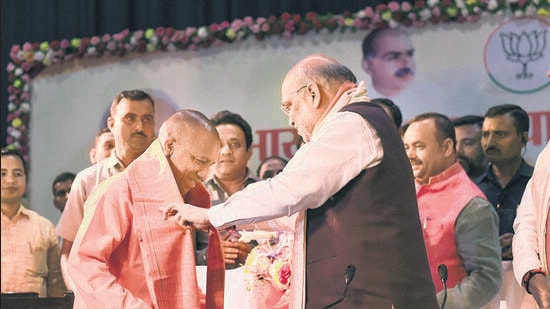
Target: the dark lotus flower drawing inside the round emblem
(524, 48)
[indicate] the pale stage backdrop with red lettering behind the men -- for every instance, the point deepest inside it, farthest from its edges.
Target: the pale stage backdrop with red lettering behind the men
(454, 61)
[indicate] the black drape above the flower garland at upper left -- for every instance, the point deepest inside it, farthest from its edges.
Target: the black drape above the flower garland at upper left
(42, 20)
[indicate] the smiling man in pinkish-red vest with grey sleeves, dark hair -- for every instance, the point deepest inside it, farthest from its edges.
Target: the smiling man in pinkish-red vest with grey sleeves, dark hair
(460, 226)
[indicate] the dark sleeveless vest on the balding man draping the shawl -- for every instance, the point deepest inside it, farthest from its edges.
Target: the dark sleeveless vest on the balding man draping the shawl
(373, 224)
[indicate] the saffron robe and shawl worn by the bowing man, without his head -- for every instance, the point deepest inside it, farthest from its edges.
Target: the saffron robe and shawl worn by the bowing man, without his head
(126, 255)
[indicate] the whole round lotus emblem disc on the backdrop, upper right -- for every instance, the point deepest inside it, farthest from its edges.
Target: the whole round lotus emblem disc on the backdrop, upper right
(516, 55)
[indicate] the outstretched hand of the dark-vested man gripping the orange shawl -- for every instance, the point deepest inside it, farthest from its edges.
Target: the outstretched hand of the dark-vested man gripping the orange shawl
(187, 216)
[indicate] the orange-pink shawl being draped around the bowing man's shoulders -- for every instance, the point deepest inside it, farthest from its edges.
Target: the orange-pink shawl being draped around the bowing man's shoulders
(172, 270)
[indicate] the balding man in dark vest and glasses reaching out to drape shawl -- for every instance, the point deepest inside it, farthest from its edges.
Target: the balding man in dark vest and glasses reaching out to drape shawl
(365, 247)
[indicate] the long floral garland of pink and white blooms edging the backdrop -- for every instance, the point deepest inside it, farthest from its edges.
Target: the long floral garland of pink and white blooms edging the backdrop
(31, 58)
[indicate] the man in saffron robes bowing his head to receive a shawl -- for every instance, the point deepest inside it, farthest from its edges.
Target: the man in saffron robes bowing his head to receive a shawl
(127, 254)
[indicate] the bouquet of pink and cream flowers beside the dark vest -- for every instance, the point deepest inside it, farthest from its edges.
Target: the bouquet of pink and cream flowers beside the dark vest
(268, 268)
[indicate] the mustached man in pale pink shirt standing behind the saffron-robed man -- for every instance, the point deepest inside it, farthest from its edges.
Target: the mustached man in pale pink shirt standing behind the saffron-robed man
(133, 126)
